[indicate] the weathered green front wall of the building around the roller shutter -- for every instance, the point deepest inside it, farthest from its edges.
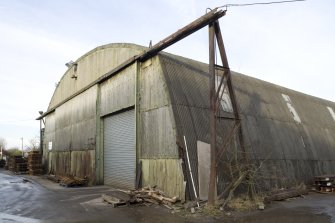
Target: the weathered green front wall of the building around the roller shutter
(74, 129)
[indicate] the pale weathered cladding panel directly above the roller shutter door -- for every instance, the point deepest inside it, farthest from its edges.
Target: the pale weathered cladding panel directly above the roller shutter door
(118, 92)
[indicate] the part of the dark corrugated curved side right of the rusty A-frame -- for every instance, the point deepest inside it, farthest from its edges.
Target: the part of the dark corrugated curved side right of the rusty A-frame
(292, 152)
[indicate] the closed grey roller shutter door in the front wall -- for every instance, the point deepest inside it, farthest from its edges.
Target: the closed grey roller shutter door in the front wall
(120, 150)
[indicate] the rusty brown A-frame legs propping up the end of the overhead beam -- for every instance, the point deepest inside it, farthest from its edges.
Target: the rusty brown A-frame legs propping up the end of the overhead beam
(215, 36)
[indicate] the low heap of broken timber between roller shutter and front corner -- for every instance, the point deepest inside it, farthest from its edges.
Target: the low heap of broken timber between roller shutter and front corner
(147, 196)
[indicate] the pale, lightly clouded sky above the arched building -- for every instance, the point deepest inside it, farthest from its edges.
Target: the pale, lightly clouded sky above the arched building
(291, 45)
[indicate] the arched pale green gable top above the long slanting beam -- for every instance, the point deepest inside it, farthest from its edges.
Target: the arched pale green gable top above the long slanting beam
(90, 67)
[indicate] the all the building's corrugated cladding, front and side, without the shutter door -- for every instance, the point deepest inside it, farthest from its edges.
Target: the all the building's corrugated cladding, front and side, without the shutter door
(172, 102)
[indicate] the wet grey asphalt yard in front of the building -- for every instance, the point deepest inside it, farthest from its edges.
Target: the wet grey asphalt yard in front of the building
(34, 199)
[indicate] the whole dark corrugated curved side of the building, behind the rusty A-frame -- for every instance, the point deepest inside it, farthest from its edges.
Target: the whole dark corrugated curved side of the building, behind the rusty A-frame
(292, 152)
